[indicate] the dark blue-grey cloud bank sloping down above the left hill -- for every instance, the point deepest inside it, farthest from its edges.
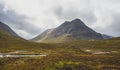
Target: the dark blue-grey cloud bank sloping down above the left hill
(17, 22)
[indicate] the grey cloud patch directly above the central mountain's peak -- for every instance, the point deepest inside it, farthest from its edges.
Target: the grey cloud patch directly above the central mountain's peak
(71, 13)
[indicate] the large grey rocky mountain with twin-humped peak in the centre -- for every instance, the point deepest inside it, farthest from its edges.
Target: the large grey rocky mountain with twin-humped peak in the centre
(74, 30)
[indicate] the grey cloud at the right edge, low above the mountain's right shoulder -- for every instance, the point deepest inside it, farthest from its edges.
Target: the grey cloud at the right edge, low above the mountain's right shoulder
(113, 28)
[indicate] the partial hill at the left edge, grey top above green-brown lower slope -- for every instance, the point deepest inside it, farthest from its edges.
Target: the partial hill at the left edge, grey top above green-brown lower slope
(7, 34)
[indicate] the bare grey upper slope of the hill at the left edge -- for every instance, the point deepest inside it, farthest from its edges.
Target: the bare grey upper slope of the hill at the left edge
(7, 29)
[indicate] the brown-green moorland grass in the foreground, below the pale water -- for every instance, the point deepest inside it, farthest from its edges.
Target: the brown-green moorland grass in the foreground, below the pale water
(66, 61)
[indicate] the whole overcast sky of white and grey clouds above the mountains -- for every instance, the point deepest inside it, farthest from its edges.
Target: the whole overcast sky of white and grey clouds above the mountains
(29, 18)
